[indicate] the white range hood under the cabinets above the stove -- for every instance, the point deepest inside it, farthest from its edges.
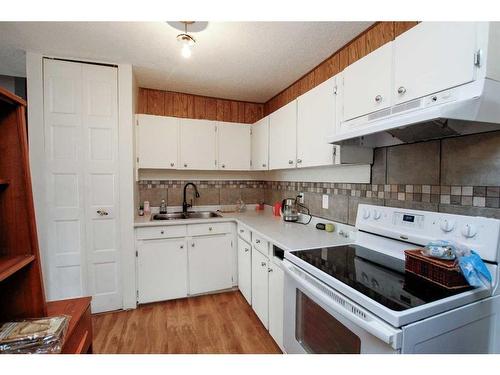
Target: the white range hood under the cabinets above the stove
(467, 109)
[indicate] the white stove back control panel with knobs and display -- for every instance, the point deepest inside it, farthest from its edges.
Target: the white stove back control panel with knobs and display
(420, 227)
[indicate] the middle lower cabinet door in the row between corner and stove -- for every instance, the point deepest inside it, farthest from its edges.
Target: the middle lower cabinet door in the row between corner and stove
(260, 286)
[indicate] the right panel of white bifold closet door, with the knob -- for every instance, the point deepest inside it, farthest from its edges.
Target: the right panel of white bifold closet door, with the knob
(100, 123)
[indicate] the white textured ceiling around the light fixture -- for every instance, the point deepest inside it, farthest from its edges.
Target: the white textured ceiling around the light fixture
(250, 61)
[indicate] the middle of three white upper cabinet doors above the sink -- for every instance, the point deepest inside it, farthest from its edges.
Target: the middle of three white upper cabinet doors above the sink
(198, 144)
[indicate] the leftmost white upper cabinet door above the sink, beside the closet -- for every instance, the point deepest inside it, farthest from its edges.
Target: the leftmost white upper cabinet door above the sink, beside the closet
(157, 141)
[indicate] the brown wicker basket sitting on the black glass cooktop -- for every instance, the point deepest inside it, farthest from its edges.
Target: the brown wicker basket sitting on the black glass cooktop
(445, 273)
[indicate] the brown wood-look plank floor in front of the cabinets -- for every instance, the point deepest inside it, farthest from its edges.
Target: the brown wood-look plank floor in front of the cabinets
(217, 323)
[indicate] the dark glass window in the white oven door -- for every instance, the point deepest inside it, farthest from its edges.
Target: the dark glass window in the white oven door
(319, 332)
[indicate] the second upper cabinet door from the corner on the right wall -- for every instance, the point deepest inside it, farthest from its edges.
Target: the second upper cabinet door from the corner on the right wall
(283, 137)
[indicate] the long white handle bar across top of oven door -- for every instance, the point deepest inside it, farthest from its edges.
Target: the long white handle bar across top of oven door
(373, 325)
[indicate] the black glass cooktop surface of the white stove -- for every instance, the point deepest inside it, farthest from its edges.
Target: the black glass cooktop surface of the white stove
(376, 275)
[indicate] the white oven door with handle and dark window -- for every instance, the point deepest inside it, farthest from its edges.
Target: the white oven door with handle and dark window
(320, 320)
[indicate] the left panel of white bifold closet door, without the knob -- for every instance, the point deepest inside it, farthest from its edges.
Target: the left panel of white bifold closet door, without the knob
(64, 186)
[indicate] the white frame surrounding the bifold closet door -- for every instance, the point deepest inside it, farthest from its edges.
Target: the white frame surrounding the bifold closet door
(127, 104)
